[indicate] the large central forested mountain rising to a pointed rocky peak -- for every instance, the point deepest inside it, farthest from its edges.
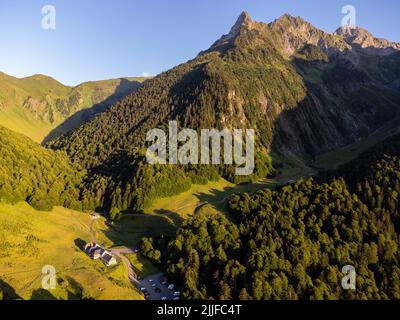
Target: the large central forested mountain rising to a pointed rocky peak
(301, 92)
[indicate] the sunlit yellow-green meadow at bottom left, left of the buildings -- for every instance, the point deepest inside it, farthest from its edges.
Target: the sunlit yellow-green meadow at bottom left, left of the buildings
(30, 239)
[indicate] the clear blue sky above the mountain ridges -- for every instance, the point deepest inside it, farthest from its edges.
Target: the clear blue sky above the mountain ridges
(114, 38)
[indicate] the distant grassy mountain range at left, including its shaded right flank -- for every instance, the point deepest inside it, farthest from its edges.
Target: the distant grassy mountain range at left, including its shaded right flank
(38, 104)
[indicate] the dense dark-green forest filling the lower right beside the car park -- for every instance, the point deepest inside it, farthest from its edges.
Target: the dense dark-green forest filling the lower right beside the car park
(292, 243)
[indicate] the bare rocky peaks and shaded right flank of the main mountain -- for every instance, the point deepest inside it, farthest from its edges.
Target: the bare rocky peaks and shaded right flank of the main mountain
(350, 80)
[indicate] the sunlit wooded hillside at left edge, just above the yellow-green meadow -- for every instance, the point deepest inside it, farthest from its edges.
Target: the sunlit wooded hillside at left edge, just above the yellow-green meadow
(41, 177)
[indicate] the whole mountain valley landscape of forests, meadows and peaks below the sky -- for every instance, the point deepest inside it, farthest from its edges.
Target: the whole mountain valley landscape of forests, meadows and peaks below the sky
(325, 108)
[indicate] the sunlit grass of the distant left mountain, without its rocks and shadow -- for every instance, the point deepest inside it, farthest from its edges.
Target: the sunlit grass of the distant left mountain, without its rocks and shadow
(14, 91)
